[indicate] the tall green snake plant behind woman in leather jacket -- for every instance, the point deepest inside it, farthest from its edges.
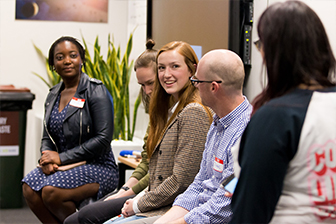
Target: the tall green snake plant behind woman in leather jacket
(115, 72)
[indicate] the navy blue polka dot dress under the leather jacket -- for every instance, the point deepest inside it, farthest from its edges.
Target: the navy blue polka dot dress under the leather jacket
(101, 170)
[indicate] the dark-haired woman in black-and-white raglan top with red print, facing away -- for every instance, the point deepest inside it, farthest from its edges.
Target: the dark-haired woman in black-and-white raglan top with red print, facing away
(287, 153)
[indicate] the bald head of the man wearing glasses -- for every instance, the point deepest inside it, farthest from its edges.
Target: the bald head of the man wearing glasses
(224, 65)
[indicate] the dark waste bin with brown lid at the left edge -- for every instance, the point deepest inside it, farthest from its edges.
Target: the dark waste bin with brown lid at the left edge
(14, 103)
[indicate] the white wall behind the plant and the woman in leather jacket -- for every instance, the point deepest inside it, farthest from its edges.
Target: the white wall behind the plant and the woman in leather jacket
(18, 58)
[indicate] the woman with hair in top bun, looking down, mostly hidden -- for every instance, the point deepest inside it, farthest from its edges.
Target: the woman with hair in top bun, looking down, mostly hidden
(106, 208)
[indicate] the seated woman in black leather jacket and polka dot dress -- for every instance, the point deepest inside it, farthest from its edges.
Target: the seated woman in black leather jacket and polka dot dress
(78, 126)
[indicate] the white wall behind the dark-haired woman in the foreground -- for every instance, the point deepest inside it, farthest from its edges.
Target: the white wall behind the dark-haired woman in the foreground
(325, 9)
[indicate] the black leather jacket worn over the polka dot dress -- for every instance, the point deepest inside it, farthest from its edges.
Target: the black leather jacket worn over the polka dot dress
(88, 130)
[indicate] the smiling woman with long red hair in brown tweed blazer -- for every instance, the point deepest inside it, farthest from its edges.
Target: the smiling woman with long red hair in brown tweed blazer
(179, 125)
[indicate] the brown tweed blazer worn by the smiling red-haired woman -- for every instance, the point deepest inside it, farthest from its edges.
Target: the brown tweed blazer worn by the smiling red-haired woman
(176, 159)
